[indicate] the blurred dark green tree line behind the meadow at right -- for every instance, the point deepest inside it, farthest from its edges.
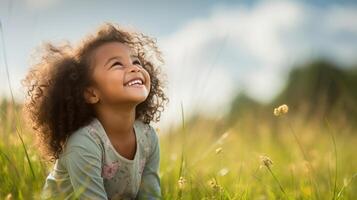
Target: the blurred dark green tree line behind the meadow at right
(316, 90)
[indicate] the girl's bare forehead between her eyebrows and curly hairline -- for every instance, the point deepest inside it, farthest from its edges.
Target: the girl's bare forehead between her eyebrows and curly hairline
(109, 50)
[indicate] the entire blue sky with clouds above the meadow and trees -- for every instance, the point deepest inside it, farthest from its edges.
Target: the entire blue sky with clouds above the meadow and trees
(212, 48)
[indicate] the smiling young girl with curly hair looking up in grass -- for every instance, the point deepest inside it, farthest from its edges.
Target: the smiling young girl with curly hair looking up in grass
(91, 107)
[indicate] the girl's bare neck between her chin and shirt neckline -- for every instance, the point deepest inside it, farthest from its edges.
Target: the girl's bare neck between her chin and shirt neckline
(118, 122)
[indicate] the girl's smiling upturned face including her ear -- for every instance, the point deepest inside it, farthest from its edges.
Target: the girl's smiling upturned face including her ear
(118, 75)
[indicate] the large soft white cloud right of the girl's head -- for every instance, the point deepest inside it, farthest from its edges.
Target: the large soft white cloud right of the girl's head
(251, 48)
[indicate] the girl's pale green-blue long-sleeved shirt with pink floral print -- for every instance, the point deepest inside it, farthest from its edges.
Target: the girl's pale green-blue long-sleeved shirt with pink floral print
(90, 167)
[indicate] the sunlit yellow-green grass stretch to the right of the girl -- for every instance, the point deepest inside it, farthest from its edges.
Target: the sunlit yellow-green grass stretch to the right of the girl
(294, 175)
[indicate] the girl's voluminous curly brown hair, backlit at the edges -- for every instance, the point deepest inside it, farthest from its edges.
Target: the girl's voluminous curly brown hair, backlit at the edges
(55, 106)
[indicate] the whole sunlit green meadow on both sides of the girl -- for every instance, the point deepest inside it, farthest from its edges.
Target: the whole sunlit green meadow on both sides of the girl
(270, 157)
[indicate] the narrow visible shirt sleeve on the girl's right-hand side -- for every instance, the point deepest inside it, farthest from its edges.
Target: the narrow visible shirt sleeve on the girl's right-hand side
(150, 181)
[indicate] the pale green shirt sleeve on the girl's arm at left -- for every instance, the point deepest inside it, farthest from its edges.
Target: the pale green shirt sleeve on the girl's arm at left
(83, 163)
